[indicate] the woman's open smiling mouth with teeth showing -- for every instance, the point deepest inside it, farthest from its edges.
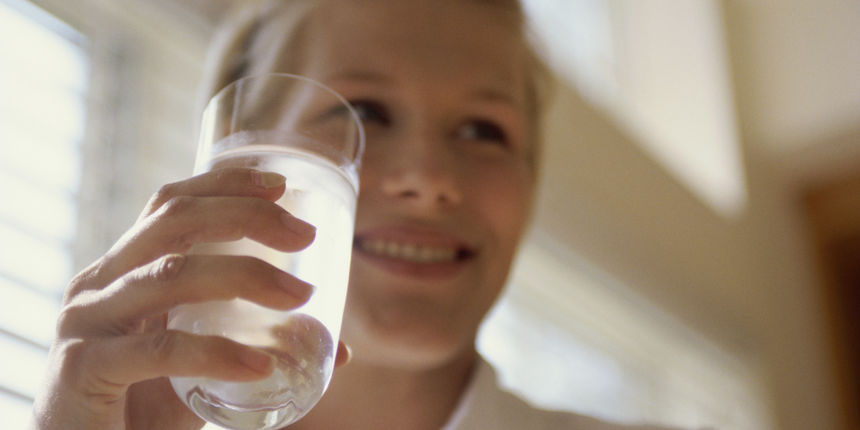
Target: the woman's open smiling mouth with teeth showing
(413, 252)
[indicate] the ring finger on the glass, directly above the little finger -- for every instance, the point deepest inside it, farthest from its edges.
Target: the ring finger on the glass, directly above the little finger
(155, 288)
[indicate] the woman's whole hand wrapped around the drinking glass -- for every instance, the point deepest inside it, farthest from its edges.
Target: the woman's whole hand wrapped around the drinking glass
(111, 330)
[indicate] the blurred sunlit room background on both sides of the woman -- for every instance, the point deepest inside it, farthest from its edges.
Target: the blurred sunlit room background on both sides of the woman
(695, 259)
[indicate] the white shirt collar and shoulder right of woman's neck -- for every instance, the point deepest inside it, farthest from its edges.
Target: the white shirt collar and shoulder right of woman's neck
(485, 406)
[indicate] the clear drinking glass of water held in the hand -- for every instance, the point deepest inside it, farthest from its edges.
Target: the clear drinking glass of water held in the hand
(306, 132)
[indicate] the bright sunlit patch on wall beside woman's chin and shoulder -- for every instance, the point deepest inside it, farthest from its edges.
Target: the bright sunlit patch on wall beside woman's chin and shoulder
(568, 337)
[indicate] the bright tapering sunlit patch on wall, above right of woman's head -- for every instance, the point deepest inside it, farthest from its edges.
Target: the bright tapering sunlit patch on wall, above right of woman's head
(660, 68)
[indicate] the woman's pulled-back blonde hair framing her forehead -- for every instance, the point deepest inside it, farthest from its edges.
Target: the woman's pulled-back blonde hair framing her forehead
(261, 36)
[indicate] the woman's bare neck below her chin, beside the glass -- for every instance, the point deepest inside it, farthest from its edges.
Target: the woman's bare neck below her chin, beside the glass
(367, 396)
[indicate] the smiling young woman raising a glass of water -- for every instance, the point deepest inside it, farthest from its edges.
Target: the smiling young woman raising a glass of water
(448, 91)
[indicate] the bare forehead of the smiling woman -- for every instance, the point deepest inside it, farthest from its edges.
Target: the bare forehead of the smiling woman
(445, 40)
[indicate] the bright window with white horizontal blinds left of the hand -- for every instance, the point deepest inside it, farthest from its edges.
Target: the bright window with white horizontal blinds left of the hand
(42, 110)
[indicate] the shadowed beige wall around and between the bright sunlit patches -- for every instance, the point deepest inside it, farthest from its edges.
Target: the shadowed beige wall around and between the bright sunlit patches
(749, 283)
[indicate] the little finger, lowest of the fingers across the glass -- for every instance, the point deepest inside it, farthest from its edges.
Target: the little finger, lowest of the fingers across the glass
(107, 364)
